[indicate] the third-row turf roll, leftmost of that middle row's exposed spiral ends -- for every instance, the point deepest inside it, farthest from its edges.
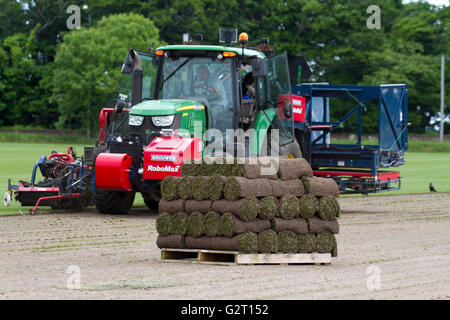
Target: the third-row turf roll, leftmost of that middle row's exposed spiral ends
(246, 209)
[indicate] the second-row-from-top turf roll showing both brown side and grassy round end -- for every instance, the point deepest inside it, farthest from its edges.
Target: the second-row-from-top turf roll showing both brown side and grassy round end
(238, 187)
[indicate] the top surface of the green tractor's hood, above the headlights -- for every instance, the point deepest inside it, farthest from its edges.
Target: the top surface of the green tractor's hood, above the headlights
(165, 107)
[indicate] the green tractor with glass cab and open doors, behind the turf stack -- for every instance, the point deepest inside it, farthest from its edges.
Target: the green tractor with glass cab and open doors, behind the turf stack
(234, 99)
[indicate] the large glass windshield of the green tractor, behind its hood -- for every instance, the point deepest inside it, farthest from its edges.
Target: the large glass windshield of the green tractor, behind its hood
(203, 79)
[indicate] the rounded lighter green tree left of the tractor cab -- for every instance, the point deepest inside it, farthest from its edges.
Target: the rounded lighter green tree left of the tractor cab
(87, 66)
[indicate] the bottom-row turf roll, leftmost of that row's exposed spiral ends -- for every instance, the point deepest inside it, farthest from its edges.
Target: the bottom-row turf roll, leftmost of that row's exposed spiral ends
(245, 243)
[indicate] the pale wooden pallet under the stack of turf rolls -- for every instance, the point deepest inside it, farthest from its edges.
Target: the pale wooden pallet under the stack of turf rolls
(236, 258)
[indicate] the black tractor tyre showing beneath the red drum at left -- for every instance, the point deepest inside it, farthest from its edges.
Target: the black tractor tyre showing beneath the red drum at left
(113, 202)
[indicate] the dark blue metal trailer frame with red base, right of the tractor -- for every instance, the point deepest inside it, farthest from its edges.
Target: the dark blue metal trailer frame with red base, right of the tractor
(356, 167)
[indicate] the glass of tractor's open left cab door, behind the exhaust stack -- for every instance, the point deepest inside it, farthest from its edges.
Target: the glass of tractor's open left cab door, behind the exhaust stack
(148, 81)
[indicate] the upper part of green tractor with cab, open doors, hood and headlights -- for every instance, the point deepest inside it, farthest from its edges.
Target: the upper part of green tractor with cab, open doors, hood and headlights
(209, 92)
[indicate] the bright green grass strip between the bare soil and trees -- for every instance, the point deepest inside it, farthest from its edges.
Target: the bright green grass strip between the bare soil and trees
(17, 160)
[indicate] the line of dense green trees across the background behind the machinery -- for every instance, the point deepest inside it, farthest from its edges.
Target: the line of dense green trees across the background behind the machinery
(56, 78)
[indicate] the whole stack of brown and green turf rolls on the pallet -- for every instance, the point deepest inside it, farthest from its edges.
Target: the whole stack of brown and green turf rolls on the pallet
(252, 205)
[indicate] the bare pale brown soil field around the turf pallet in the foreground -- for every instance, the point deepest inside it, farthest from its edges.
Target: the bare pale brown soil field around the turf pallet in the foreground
(406, 238)
